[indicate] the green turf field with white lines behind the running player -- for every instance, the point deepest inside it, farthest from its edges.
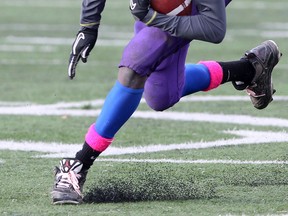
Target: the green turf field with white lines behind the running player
(211, 154)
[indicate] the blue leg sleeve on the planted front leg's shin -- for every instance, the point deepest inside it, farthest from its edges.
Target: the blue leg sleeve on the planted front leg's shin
(120, 104)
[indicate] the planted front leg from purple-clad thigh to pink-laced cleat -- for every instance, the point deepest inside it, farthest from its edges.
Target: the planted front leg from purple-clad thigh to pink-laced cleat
(143, 52)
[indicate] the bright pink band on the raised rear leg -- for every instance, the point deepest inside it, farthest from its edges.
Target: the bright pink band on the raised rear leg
(216, 73)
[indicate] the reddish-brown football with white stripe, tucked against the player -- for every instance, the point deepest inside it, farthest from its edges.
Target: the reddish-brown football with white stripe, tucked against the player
(172, 7)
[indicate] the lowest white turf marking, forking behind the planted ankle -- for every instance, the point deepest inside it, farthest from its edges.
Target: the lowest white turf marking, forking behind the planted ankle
(57, 150)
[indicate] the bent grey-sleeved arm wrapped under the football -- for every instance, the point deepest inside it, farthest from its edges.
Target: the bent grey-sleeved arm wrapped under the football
(208, 25)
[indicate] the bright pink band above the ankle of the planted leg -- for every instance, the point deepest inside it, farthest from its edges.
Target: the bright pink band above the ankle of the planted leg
(95, 141)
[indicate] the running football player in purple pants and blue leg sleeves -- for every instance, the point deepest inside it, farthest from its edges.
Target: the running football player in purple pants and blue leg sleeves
(153, 66)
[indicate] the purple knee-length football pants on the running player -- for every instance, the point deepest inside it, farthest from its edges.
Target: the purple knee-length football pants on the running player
(161, 57)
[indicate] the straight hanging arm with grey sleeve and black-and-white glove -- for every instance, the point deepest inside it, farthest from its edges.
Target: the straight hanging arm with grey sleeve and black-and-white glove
(87, 35)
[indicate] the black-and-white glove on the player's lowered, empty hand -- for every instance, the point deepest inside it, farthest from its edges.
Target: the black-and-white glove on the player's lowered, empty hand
(83, 44)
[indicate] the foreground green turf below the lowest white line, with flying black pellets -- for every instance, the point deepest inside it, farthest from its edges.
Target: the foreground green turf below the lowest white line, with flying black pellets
(162, 189)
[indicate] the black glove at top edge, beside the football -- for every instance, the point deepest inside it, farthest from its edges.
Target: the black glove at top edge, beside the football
(139, 8)
